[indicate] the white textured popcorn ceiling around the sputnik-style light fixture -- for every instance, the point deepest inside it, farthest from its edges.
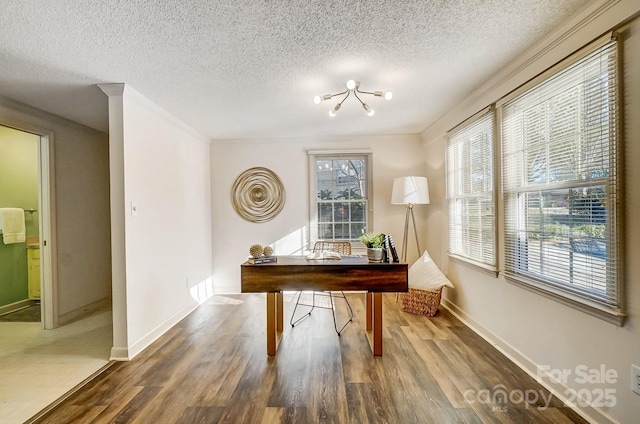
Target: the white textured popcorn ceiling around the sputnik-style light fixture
(249, 69)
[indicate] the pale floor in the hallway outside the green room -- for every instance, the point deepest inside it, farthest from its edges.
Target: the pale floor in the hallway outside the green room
(38, 366)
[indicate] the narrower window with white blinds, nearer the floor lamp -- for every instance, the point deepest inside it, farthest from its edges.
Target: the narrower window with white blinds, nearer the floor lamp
(470, 181)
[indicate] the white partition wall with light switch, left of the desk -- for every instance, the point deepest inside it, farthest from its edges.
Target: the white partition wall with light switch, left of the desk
(161, 214)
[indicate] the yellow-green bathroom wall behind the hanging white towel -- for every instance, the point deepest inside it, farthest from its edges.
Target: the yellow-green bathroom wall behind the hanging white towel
(18, 189)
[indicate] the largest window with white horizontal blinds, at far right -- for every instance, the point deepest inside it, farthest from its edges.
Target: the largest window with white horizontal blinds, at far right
(560, 184)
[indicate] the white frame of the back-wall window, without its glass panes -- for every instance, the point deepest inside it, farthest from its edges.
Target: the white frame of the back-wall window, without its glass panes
(314, 156)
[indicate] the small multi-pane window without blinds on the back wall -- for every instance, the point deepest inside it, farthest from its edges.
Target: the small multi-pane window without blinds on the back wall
(340, 187)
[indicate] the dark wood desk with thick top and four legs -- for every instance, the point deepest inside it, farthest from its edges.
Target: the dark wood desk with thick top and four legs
(351, 273)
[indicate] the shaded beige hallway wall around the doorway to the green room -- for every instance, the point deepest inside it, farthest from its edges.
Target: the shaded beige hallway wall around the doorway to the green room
(80, 180)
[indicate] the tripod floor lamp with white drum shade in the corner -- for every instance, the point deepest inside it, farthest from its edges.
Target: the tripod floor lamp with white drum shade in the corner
(410, 191)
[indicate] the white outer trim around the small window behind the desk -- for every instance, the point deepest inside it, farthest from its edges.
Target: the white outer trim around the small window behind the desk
(313, 155)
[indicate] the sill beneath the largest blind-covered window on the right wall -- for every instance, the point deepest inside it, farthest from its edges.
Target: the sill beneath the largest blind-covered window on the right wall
(613, 317)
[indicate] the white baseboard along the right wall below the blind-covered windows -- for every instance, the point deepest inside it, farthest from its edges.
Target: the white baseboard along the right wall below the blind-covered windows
(527, 365)
